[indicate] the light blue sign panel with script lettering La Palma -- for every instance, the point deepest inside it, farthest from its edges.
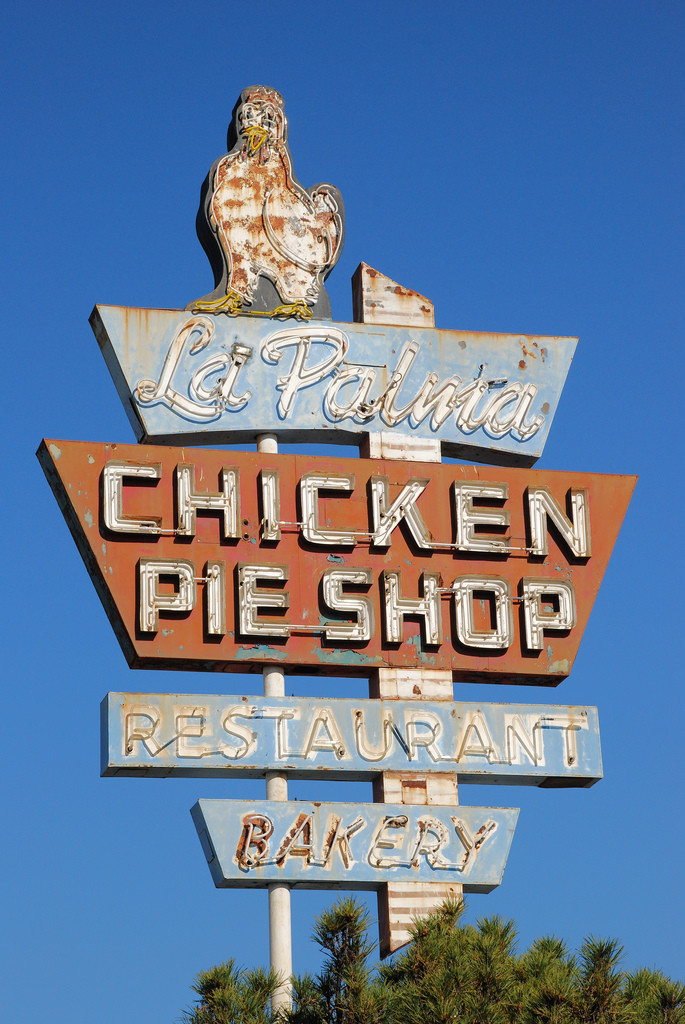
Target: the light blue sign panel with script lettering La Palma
(191, 378)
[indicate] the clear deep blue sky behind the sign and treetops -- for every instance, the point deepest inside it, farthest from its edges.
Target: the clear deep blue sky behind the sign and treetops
(522, 165)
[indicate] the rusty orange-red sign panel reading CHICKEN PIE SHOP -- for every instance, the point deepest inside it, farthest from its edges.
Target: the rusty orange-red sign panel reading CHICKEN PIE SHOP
(226, 561)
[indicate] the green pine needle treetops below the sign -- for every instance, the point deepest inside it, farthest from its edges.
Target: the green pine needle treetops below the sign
(450, 974)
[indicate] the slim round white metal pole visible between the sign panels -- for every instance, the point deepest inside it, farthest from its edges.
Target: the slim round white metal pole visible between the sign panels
(280, 927)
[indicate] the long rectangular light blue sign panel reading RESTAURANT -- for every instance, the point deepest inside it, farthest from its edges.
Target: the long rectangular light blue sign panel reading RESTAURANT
(156, 736)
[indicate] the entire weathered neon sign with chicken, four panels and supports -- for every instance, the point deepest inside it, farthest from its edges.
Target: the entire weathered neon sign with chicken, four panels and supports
(208, 561)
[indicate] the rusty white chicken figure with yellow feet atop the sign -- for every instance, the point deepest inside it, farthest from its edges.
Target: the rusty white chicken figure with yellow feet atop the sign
(271, 243)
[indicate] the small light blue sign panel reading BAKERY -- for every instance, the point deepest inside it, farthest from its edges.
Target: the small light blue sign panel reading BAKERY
(353, 846)
